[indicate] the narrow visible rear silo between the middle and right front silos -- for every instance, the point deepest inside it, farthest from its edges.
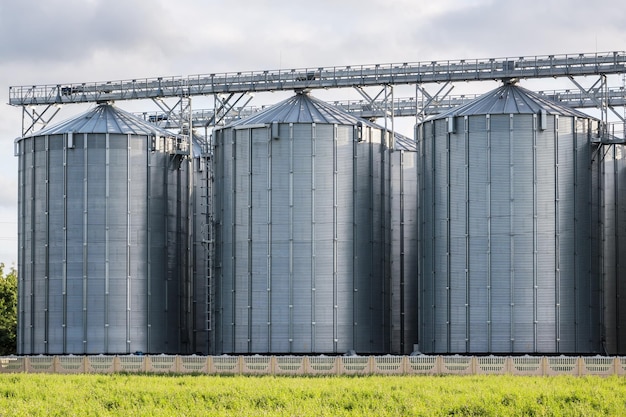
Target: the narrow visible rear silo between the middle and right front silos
(403, 245)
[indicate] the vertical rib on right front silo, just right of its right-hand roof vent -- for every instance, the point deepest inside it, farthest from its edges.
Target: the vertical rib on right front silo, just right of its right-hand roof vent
(557, 236)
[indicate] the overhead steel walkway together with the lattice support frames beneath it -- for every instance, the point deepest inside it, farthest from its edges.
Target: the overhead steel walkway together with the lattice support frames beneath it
(231, 91)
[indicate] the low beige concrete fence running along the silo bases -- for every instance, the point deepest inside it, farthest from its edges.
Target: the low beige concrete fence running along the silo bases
(319, 365)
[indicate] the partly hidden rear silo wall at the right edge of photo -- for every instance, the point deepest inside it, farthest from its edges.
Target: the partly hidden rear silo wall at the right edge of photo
(610, 167)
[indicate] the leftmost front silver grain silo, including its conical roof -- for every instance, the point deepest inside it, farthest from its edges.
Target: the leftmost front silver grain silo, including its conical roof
(102, 235)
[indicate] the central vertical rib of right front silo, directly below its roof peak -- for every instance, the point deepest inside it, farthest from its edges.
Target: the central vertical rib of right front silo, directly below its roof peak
(511, 233)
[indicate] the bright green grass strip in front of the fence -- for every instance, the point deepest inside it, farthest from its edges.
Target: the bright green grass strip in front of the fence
(149, 395)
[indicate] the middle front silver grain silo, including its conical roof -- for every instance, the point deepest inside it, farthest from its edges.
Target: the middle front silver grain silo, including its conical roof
(300, 256)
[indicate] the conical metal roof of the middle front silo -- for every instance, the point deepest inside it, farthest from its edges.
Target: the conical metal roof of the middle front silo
(301, 108)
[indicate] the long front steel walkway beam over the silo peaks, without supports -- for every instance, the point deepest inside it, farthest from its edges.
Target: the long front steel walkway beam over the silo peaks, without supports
(333, 77)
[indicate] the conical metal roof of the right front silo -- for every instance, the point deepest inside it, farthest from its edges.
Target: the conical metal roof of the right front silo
(511, 99)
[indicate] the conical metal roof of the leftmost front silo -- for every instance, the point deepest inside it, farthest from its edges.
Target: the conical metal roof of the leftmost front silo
(105, 118)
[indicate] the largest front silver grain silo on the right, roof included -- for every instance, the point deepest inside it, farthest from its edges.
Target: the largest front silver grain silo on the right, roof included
(505, 228)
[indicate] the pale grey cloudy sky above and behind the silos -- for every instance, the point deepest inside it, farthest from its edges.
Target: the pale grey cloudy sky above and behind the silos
(73, 41)
